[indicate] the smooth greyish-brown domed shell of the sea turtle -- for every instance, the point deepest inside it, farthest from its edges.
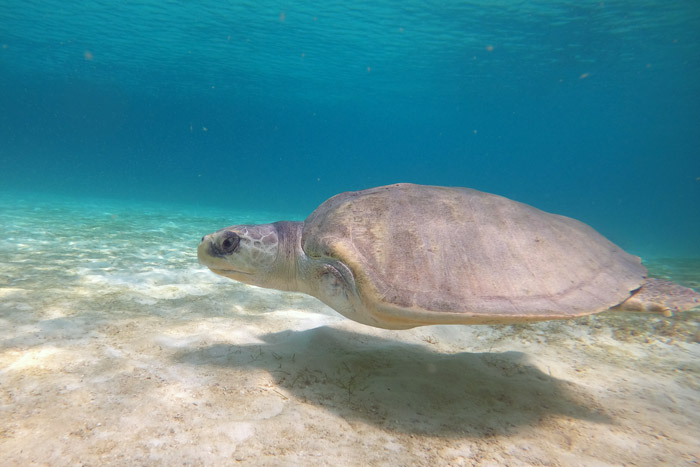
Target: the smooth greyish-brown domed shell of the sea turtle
(460, 255)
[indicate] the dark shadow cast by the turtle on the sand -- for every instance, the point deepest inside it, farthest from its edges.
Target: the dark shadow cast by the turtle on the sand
(406, 387)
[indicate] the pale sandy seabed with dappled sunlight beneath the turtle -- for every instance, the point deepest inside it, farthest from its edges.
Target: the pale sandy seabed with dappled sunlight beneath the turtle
(117, 348)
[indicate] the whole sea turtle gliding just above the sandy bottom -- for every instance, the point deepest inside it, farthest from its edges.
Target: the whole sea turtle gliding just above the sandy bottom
(406, 255)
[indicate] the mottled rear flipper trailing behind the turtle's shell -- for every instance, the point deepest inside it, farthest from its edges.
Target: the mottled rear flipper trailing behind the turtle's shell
(661, 296)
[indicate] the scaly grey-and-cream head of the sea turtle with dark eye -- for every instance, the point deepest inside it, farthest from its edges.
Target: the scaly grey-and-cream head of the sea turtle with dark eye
(262, 255)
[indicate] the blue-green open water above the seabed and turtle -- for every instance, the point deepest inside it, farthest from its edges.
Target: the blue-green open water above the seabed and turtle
(585, 108)
